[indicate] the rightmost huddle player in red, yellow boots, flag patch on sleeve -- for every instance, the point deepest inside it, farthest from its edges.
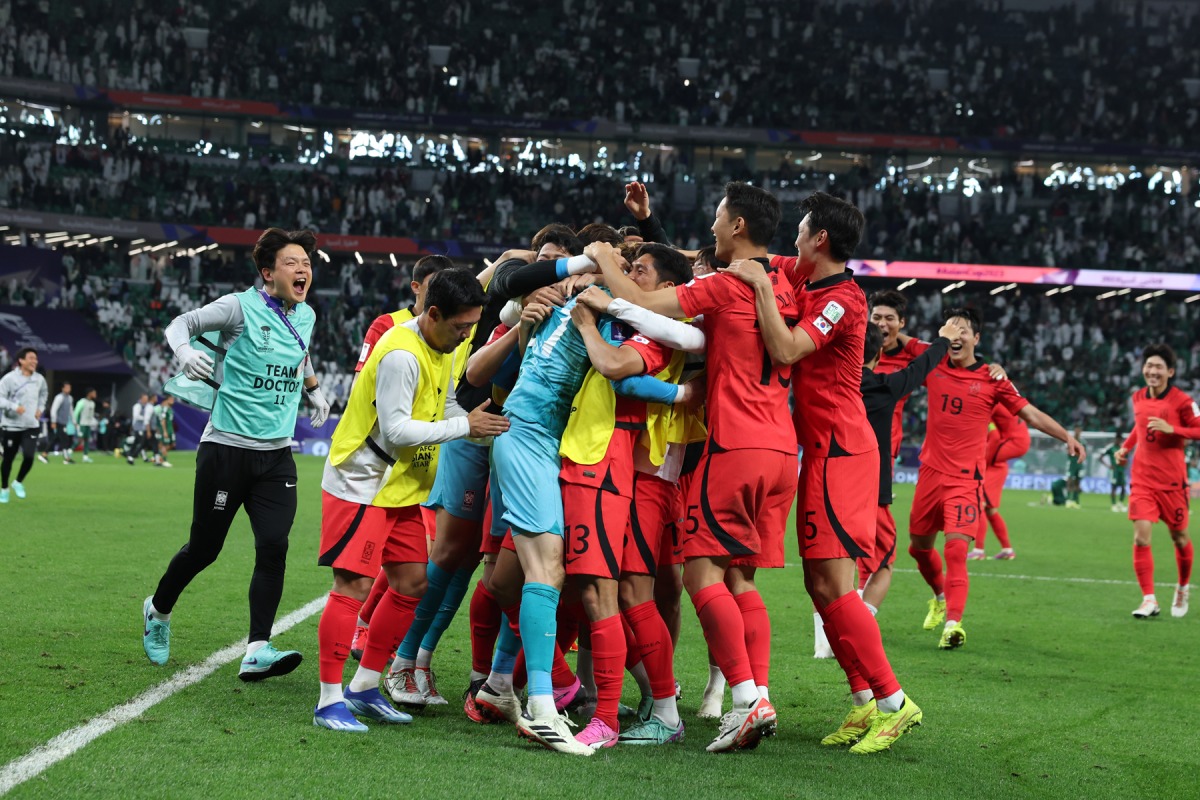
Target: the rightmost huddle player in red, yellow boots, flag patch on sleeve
(835, 526)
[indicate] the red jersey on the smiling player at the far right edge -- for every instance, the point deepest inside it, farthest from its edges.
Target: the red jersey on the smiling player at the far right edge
(1161, 462)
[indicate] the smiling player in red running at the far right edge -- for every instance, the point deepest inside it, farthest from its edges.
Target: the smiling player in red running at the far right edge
(1163, 418)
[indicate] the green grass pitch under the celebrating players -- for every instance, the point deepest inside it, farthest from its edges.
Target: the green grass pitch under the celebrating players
(1059, 693)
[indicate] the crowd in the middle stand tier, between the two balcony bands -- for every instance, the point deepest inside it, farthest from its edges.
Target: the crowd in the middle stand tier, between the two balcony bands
(1010, 219)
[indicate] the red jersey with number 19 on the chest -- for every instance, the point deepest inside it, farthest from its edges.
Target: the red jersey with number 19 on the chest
(962, 401)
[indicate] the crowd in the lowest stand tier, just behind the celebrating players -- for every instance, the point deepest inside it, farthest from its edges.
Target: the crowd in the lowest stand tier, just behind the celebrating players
(1040, 340)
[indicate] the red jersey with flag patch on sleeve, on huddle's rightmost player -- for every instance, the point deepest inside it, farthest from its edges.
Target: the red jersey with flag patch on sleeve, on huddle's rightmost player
(830, 417)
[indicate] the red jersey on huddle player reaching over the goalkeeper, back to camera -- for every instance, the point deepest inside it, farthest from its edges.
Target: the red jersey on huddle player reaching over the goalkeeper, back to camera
(747, 399)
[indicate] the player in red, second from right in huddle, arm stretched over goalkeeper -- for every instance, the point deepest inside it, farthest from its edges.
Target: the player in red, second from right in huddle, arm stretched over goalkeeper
(740, 504)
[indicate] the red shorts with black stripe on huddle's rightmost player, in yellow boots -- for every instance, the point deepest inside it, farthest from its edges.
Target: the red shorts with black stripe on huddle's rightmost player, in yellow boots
(832, 521)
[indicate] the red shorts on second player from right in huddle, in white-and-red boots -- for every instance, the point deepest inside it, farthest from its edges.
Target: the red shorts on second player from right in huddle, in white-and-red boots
(739, 507)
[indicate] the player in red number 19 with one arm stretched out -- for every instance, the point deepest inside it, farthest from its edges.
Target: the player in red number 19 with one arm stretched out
(953, 461)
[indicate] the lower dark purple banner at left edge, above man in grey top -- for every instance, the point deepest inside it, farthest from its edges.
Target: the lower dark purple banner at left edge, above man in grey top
(63, 340)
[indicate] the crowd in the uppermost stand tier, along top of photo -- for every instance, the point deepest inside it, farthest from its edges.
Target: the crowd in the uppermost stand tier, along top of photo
(922, 67)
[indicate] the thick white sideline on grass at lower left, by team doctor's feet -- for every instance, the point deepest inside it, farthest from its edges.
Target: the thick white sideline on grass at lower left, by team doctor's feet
(41, 759)
